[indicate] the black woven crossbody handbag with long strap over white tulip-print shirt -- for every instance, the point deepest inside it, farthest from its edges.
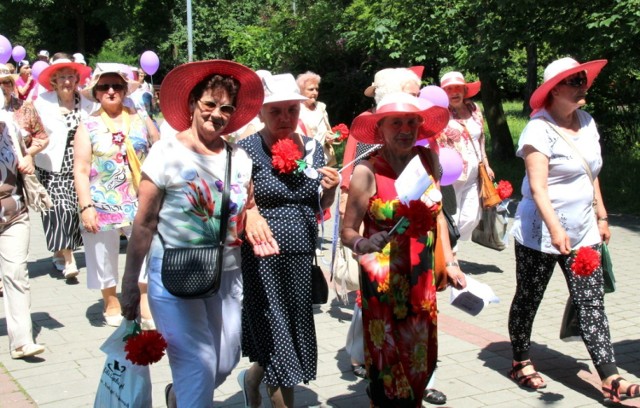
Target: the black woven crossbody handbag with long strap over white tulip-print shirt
(195, 272)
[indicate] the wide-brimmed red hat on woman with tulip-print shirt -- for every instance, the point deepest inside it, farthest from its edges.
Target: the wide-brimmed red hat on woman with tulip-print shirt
(178, 83)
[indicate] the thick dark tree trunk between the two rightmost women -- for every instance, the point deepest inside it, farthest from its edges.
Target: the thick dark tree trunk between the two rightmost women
(501, 143)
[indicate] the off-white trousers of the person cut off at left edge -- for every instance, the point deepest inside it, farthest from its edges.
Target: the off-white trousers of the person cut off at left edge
(14, 250)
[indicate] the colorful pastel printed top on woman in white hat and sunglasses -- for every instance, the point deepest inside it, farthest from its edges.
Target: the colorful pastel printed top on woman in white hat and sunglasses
(112, 191)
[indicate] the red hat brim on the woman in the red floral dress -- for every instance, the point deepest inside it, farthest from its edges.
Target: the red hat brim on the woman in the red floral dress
(365, 125)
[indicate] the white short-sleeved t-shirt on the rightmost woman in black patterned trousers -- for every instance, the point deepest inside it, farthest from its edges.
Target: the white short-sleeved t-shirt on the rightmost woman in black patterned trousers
(569, 186)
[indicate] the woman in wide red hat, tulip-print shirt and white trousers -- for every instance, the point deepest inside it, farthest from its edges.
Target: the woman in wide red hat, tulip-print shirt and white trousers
(180, 204)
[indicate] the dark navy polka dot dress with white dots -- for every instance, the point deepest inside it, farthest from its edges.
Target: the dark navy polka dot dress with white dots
(278, 330)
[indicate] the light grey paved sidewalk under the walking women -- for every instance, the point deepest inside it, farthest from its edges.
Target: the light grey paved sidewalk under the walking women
(474, 351)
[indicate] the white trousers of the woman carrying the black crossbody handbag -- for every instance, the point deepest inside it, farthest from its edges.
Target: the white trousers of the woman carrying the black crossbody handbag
(203, 335)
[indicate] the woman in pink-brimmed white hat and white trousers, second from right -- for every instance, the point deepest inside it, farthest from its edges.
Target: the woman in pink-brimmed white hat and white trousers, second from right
(465, 133)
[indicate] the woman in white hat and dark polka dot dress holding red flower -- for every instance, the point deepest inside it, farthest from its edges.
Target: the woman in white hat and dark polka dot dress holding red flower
(278, 332)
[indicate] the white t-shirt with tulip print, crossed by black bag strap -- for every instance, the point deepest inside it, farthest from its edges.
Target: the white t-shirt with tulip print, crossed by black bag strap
(193, 184)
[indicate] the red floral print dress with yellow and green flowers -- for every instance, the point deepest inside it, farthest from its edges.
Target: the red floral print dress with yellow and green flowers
(399, 296)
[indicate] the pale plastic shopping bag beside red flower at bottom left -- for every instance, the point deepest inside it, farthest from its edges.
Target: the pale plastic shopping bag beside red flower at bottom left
(122, 383)
